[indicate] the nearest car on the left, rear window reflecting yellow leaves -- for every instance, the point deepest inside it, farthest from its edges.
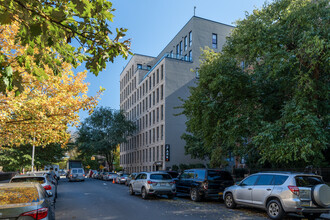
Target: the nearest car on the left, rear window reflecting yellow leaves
(25, 201)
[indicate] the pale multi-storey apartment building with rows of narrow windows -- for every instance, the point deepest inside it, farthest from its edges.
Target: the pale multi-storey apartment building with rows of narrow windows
(150, 88)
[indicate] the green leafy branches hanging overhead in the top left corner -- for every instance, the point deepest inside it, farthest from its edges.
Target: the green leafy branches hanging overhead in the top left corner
(47, 28)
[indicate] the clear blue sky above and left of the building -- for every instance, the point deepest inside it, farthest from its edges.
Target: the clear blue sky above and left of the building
(151, 25)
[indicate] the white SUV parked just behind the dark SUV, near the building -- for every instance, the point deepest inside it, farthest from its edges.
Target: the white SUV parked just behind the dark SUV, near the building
(153, 183)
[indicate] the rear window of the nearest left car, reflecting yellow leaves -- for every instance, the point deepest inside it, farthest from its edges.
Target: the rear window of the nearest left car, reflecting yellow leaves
(18, 195)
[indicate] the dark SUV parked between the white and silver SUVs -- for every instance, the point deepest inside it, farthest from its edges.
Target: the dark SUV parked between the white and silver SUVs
(203, 183)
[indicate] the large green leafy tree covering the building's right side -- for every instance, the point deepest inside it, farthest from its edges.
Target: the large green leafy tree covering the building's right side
(266, 96)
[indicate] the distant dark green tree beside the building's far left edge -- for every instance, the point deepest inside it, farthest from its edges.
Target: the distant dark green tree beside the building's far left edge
(102, 132)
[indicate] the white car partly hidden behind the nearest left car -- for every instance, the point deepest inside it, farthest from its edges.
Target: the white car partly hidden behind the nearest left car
(43, 179)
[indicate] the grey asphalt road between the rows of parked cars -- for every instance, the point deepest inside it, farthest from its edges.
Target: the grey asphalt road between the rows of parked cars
(95, 199)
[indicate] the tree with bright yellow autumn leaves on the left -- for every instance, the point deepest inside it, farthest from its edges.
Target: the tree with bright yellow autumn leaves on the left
(45, 107)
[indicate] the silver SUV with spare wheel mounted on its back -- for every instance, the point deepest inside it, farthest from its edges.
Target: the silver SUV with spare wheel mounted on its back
(280, 193)
